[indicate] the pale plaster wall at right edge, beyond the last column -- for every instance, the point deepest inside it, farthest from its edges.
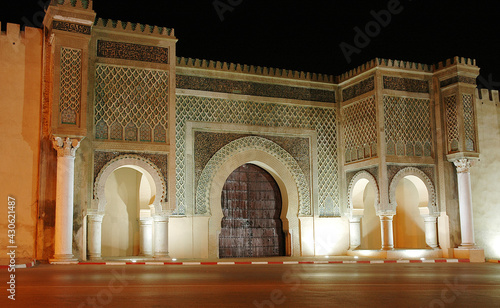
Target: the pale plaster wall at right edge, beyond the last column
(485, 178)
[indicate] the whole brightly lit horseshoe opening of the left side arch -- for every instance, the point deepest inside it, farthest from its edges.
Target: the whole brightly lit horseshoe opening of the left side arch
(129, 193)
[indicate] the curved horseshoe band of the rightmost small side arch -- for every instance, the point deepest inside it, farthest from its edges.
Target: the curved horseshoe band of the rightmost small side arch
(414, 172)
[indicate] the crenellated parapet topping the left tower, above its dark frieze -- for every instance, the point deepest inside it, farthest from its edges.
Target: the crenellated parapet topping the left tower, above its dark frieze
(133, 28)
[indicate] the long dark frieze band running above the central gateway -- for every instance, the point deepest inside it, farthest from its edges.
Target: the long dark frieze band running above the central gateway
(253, 88)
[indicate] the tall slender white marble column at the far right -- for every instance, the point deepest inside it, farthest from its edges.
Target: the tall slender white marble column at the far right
(465, 202)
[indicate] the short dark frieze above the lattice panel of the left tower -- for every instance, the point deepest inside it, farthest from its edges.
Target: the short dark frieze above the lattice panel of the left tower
(135, 52)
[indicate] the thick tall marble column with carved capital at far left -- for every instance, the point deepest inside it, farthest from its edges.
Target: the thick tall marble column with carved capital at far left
(66, 149)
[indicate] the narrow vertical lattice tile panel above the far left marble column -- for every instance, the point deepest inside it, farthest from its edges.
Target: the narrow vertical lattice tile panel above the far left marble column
(71, 85)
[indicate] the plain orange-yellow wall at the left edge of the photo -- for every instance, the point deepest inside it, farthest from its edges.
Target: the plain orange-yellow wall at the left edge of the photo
(20, 97)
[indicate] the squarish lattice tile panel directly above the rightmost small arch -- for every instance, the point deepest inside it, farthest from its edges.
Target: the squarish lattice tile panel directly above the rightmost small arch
(407, 124)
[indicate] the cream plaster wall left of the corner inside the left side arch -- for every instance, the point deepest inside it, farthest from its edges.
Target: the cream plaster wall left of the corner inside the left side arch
(120, 228)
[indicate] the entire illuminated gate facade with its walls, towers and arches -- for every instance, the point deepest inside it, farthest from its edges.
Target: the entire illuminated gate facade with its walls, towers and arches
(123, 149)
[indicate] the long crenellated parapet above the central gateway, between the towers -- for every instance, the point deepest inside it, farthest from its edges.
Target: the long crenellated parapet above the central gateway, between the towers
(251, 69)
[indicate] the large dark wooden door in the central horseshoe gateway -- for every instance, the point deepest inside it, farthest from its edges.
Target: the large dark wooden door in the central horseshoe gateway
(251, 204)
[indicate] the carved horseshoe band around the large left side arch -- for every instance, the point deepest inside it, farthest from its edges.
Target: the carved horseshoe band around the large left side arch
(145, 166)
